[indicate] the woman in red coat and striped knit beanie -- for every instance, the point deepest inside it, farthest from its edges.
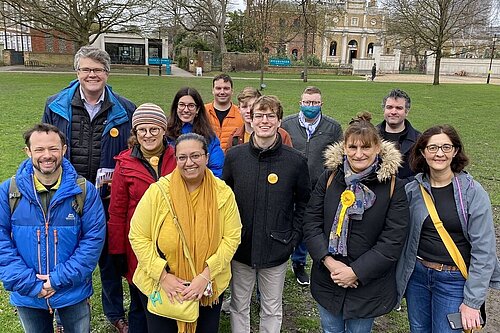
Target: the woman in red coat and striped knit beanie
(148, 158)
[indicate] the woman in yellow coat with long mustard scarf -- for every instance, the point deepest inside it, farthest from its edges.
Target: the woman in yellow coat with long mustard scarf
(208, 216)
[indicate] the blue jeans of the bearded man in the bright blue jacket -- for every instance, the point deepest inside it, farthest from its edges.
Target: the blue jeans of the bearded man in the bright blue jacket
(75, 318)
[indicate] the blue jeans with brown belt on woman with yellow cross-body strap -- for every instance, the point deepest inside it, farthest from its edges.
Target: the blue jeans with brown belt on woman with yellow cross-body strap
(430, 296)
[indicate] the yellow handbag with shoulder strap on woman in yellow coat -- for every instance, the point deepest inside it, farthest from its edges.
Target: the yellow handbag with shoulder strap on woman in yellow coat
(158, 302)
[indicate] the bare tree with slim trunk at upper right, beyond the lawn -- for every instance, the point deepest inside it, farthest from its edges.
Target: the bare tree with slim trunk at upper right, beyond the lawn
(436, 22)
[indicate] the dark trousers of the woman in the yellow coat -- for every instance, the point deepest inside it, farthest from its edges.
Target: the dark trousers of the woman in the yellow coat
(208, 321)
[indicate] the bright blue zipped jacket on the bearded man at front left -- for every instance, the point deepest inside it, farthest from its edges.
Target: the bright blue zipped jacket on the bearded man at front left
(61, 243)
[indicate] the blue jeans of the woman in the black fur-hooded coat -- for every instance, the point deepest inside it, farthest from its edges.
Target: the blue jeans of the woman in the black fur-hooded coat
(336, 324)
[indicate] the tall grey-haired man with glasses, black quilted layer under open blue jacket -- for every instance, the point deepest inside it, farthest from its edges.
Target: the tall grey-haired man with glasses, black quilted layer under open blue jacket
(97, 123)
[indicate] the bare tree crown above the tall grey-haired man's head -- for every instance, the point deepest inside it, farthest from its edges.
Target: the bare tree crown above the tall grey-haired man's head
(77, 20)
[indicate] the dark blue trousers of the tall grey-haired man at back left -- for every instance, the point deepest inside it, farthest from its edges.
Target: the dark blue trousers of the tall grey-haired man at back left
(112, 289)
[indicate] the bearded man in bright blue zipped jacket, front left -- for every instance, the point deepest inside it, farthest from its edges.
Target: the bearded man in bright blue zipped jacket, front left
(49, 246)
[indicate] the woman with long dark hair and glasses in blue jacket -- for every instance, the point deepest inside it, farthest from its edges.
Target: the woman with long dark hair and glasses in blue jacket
(188, 115)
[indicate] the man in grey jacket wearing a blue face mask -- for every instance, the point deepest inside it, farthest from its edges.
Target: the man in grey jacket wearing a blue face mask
(311, 132)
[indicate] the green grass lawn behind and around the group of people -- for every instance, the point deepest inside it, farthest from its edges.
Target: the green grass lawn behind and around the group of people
(473, 109)
